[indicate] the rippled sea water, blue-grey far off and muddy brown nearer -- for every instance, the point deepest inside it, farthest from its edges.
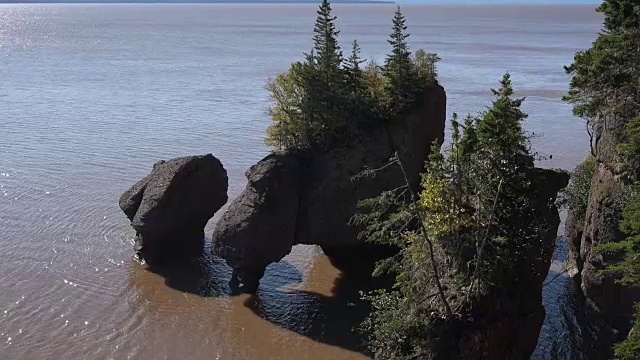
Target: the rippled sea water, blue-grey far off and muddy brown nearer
(92, 95)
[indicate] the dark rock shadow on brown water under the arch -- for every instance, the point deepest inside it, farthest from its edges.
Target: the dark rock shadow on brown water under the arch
(331, 319)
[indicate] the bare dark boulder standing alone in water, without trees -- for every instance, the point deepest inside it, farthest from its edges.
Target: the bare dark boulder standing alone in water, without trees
(170, 207)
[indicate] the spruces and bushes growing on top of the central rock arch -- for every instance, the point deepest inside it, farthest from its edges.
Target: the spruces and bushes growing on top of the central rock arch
(326, 99)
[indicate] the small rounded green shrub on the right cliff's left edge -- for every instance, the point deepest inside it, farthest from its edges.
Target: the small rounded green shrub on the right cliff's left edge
(576, 195)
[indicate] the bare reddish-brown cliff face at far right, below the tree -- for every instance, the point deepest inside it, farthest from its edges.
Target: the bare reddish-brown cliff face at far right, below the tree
(611, 305)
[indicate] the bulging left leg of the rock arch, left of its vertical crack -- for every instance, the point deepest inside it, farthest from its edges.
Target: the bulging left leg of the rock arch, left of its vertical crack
(259, 226)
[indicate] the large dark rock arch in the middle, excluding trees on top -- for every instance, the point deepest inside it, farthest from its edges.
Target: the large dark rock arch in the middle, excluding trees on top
(309, 197)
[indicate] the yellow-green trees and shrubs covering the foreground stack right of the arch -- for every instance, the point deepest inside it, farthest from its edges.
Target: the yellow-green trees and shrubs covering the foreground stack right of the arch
(462, 237)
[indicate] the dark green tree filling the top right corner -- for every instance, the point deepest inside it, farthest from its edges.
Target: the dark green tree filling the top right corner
(604, 87)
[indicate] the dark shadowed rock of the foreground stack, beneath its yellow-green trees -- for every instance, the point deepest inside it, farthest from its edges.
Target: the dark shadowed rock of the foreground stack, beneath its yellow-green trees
(508, 328)
